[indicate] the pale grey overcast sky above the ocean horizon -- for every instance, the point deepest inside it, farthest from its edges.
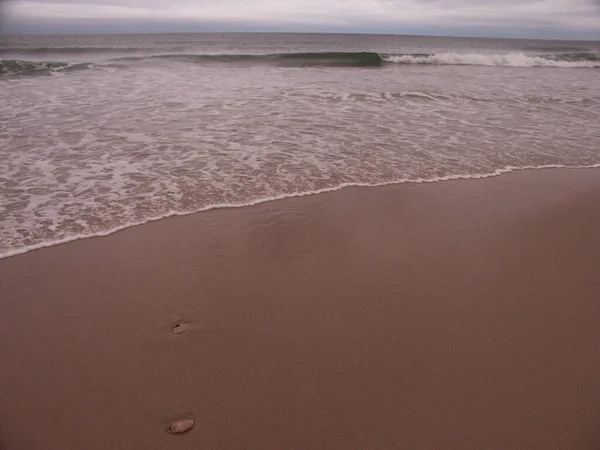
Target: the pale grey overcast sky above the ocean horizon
(561, 19)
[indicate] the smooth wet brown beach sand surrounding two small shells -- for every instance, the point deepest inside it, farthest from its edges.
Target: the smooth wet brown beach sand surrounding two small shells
(455, 315)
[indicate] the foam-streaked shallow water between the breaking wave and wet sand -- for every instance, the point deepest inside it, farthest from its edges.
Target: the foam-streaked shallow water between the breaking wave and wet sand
(90, 154)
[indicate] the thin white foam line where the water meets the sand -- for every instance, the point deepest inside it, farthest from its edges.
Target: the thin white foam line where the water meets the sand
(498, 172)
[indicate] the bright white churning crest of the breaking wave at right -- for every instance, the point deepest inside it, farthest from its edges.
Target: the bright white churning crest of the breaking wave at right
(478, 59)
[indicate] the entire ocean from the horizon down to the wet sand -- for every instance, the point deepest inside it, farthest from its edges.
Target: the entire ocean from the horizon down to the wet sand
(102, 132)
